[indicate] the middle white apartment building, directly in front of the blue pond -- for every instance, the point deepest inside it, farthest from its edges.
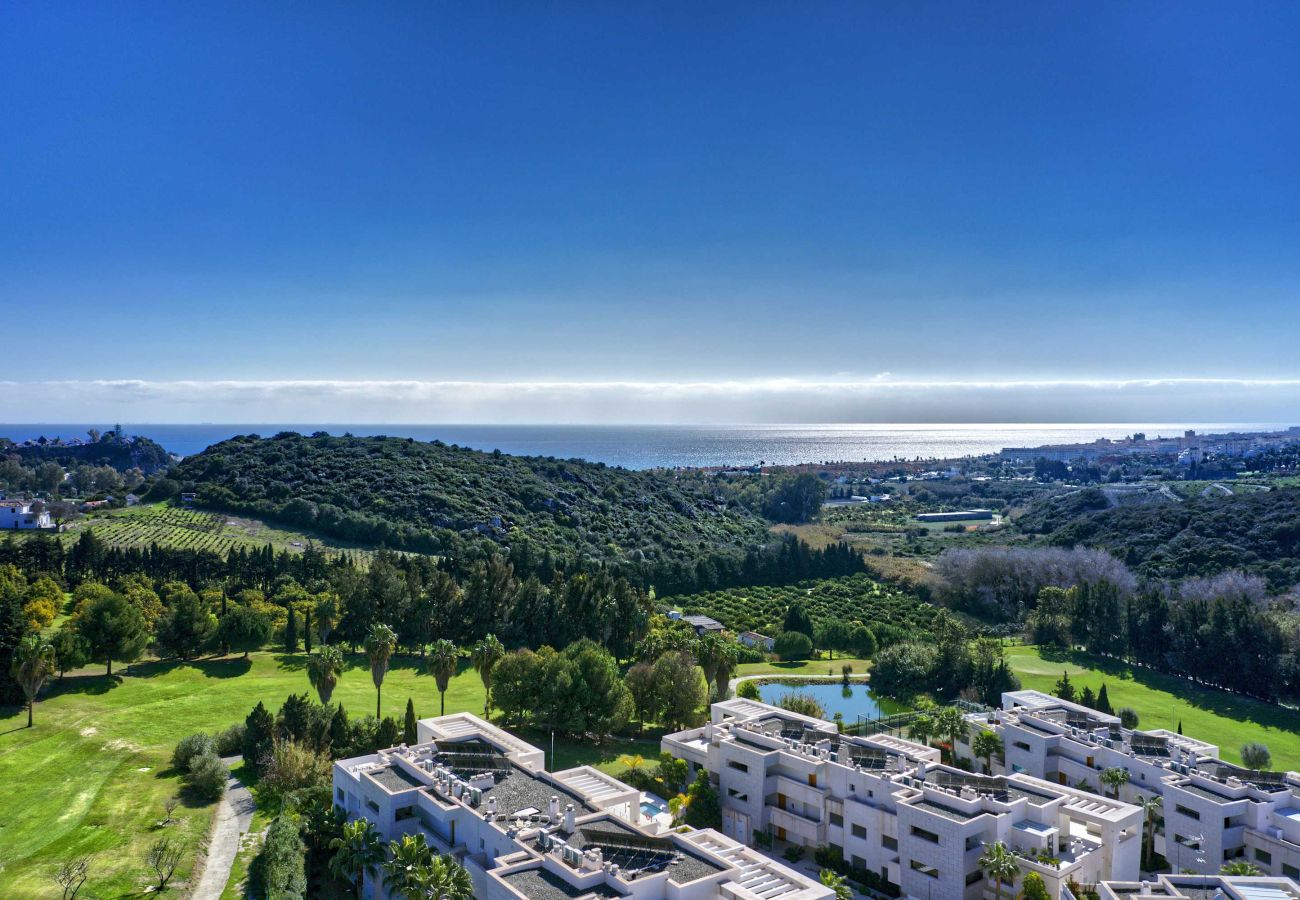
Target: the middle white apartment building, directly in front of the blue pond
(889, 806)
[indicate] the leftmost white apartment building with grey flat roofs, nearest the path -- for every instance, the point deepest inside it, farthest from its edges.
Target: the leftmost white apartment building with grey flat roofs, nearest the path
(483, 795)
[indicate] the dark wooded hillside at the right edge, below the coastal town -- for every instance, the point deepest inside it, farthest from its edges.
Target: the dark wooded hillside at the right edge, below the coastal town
(1258, 534)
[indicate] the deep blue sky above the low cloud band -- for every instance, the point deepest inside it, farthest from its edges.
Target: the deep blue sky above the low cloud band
(664, 193)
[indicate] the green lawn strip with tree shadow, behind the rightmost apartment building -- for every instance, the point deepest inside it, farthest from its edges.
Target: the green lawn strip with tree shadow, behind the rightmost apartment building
(1163, 702)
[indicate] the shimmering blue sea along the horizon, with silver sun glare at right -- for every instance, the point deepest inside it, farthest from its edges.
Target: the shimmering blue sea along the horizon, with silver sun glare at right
(670, 447)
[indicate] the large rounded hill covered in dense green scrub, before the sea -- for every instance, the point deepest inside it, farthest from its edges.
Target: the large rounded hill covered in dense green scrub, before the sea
(448, 500)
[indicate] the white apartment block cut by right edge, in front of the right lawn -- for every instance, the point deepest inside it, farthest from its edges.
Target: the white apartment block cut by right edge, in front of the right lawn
(1215, 812)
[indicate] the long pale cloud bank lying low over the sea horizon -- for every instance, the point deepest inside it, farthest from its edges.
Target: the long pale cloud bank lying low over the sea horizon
(879, 400)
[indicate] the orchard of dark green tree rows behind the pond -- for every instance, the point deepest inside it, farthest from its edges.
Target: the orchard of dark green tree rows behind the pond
(892, 615)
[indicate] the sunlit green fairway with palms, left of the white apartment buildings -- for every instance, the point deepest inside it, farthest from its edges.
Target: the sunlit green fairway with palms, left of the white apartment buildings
(83, 790)
